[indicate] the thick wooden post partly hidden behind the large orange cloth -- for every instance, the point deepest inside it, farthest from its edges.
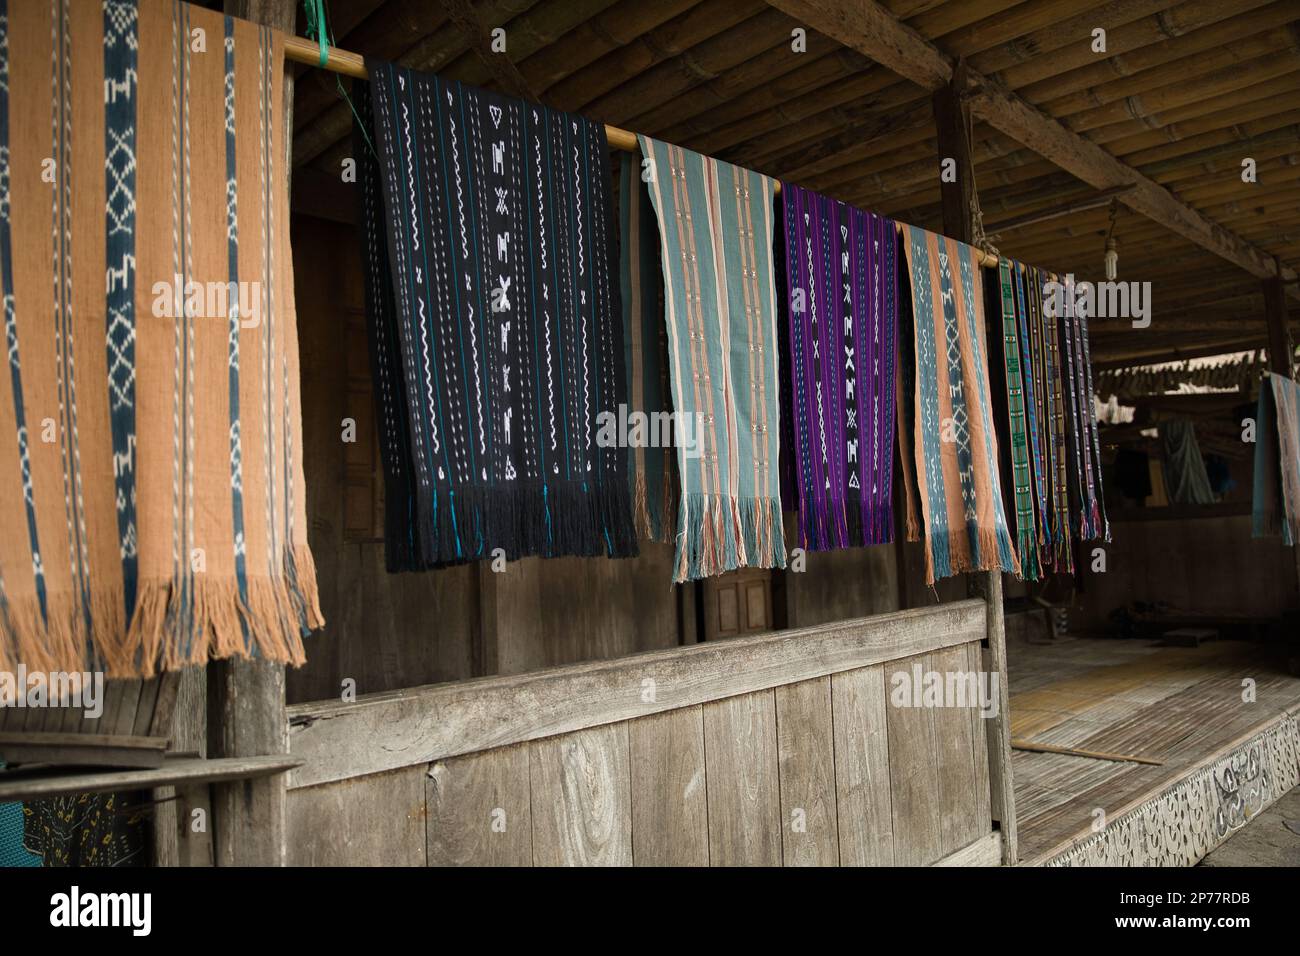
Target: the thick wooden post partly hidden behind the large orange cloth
(246, 699)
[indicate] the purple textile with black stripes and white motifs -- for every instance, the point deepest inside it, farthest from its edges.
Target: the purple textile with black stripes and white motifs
(840, 283)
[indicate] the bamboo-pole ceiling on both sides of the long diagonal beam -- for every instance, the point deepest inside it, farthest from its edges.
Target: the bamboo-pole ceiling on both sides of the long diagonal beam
(718, 77)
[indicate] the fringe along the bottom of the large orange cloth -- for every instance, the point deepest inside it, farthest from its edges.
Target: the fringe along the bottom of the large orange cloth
(268, 626)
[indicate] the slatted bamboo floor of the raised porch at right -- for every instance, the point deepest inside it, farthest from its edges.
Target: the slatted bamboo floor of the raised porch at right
(1134, 698)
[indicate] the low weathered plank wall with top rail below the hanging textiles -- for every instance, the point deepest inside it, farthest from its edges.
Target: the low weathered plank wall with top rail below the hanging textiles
(770, 758)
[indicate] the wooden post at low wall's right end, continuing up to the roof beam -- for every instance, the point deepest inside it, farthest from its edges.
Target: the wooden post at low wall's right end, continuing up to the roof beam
(952, 120)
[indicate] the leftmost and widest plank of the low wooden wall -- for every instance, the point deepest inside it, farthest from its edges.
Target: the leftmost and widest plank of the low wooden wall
(366, 821)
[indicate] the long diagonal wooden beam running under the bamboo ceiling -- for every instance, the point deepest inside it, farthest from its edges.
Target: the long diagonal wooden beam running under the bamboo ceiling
(870, 29)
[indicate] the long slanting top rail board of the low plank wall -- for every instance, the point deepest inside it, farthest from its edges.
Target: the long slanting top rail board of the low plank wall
(418, 726)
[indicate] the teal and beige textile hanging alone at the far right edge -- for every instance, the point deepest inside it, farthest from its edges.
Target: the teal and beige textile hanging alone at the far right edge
(1276, 507)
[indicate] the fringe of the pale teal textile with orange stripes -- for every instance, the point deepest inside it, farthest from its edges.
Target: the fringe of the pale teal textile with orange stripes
(722, 534)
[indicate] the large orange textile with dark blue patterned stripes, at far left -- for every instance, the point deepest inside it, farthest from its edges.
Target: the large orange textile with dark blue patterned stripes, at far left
(153, 401)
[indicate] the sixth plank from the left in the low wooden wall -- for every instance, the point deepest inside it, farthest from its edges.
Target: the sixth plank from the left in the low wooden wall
(805, 747)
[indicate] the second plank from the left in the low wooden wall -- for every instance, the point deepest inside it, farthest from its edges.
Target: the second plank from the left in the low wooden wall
(480, 810)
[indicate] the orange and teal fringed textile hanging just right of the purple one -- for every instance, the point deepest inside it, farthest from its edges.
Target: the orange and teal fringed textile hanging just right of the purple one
(955, 474)
